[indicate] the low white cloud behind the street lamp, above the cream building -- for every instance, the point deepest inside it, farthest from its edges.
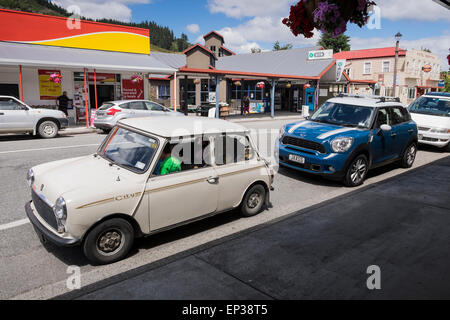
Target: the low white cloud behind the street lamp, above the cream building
(438, 45)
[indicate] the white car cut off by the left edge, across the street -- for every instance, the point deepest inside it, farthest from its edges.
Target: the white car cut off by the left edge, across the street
(17, 117)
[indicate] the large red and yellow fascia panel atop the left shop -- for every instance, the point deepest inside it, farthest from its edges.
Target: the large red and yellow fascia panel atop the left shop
(18, 26)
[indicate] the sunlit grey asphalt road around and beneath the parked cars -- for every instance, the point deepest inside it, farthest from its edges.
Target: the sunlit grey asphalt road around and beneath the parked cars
(30, 270)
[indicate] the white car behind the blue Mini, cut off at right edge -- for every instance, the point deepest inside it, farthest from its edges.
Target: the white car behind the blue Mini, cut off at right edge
(431, 112)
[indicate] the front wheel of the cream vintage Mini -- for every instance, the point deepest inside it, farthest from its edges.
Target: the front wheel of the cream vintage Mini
(109, 242)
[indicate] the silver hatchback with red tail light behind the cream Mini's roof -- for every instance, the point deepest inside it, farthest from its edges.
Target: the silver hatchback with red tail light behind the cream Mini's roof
(111, 112)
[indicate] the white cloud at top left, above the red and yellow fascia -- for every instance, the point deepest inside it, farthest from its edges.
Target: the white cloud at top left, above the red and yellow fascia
(98, 9)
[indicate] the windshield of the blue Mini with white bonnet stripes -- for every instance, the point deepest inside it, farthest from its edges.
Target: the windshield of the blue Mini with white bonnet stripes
(344, 115)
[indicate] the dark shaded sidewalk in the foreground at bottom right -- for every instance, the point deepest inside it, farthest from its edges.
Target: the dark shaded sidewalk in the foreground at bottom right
(322, 252)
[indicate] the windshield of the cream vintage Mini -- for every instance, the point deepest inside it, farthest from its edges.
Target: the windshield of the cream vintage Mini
(129, 149)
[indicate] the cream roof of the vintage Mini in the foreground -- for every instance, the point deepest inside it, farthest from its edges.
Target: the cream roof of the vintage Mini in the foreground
(183, 126)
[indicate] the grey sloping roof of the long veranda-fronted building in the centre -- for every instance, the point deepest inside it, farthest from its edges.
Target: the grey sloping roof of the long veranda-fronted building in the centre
(292, 62)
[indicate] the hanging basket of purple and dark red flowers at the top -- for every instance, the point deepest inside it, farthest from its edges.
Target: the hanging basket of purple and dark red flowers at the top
(328, 16)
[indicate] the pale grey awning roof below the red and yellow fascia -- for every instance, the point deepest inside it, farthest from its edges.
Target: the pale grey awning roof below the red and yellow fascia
(59, 57)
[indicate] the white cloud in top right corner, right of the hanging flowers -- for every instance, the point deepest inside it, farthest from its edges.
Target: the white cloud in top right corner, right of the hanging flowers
(412, 9)
